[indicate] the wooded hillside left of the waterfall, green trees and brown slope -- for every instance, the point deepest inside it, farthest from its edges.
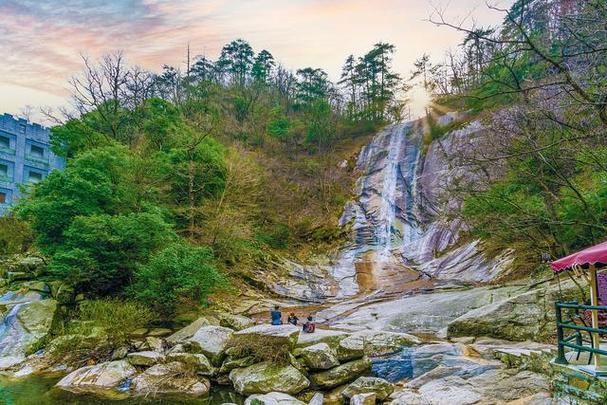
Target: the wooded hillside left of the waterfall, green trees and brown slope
(177, 177)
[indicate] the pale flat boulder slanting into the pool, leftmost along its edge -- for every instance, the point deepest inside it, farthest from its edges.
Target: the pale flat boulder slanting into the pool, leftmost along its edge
(98, 378)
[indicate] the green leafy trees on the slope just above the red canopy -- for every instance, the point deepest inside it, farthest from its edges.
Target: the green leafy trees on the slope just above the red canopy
(528, 210)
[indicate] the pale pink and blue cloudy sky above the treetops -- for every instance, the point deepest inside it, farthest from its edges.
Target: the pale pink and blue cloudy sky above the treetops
(42, 41)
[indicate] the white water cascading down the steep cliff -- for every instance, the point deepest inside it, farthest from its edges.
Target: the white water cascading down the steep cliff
(384, 213)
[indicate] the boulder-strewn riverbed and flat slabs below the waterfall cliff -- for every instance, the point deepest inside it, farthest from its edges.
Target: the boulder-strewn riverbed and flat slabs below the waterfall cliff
(360, 355)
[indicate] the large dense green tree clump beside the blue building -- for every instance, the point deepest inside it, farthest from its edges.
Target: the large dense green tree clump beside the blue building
(95, 220)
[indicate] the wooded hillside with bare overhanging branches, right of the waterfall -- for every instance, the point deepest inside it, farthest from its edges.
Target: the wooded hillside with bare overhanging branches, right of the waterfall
(538, 84)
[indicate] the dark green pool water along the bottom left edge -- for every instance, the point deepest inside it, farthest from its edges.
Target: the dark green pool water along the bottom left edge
(39, 391)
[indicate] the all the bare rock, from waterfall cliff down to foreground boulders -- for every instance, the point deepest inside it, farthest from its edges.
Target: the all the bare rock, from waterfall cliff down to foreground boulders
(406, 314)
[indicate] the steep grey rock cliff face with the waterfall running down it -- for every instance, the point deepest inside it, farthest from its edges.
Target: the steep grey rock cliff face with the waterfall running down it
(402, 236)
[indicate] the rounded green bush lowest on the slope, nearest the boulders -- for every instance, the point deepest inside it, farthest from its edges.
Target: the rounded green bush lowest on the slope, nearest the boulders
(178, 273)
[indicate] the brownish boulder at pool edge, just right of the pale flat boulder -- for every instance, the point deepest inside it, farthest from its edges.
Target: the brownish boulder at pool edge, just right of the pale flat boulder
(170, 378)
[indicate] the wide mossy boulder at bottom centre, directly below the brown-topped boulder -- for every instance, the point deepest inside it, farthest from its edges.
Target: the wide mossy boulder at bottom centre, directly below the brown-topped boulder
(263, 378)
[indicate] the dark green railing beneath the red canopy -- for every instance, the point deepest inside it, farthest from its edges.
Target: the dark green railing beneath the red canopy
(566, 340)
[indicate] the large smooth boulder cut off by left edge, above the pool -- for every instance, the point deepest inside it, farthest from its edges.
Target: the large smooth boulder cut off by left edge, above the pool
(26, 321)
